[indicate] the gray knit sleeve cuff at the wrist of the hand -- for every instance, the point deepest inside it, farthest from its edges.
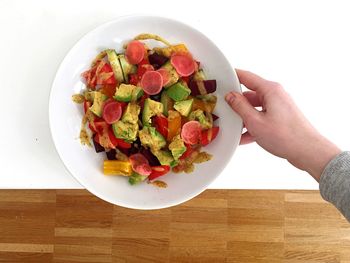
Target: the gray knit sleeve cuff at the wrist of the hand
(335, 183)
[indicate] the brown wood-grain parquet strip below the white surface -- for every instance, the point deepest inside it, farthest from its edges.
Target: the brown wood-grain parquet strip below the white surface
(216, 226)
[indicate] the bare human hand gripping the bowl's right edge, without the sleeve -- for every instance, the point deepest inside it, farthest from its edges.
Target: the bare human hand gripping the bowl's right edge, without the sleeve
(280, 128)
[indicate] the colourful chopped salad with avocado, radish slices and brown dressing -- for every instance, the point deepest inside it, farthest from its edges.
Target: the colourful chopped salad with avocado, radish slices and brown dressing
(149, 109)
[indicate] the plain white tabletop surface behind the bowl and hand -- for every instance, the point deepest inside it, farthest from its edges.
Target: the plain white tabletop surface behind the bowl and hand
(304, 45)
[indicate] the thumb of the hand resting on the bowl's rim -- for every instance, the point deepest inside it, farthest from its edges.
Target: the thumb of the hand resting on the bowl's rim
(241, 105)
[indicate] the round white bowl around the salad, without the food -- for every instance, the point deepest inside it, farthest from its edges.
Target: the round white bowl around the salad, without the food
(86, 165)
